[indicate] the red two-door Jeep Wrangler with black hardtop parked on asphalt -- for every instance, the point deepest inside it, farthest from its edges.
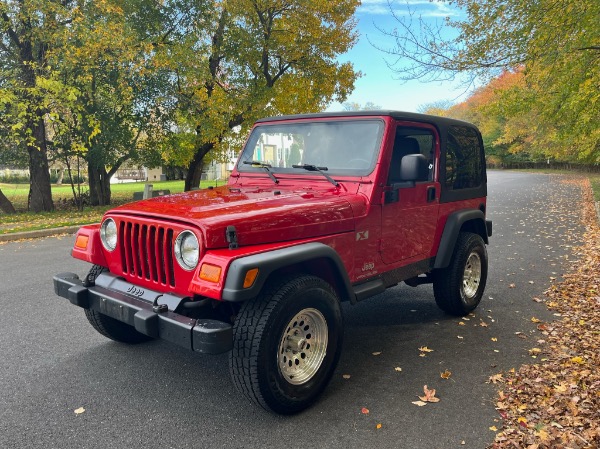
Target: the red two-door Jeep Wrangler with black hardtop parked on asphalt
(320, 209)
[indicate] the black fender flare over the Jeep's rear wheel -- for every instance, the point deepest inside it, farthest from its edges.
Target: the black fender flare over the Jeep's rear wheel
(452, 229)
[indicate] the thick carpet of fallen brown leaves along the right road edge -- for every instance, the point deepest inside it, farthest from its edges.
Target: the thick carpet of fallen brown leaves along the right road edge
(556, 404)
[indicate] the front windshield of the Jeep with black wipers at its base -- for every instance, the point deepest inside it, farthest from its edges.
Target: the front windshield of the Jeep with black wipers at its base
(348, 147)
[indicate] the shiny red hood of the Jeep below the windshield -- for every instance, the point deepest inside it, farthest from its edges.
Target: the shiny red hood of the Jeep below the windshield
(259, 215)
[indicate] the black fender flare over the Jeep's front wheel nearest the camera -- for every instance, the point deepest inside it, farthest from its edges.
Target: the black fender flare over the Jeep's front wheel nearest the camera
(270, 261)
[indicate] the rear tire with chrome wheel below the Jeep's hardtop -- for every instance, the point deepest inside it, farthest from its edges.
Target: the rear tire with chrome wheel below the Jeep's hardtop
(458, 288)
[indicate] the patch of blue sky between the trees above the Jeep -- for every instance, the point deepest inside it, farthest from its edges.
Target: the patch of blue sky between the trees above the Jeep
(378, 83)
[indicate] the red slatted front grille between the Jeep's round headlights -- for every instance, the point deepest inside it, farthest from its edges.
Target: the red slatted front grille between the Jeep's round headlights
(147, 252)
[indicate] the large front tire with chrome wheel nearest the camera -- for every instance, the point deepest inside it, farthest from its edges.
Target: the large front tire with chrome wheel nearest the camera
(286, 344)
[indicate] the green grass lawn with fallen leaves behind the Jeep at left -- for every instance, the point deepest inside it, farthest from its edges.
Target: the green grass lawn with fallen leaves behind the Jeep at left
(66, 215)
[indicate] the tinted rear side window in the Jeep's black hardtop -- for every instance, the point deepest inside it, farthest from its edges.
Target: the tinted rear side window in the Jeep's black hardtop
(464, 167)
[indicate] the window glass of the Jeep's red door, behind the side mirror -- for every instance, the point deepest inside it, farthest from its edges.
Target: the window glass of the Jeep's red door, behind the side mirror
(411, 141)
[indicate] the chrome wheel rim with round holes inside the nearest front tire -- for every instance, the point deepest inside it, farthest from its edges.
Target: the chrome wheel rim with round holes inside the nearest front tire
(303, 346)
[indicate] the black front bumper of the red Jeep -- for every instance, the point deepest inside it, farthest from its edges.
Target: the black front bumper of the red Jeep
(202, 335)
